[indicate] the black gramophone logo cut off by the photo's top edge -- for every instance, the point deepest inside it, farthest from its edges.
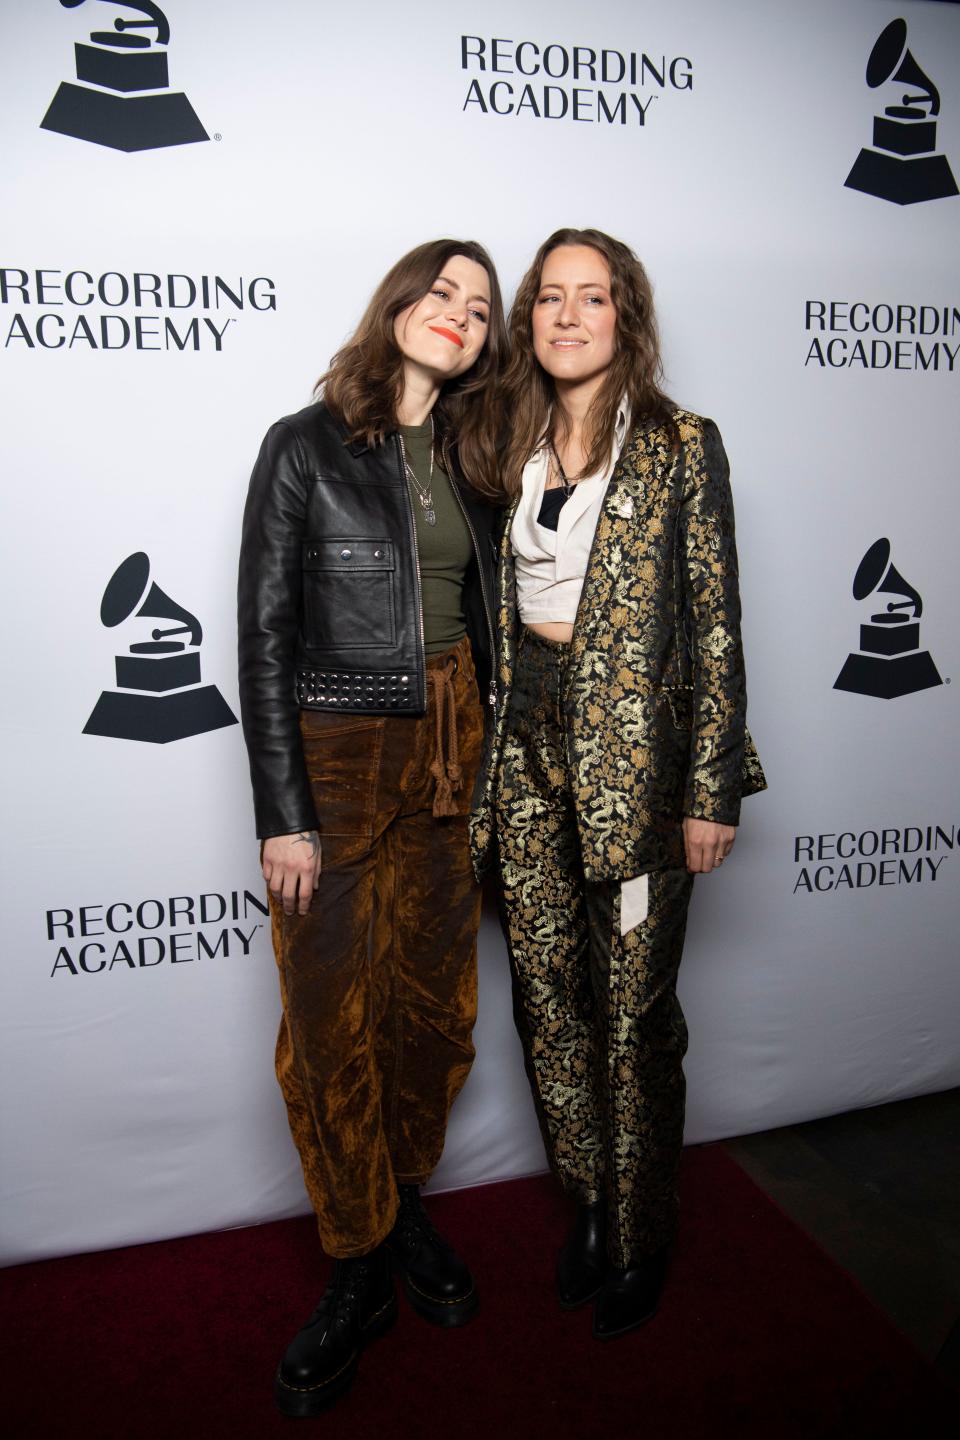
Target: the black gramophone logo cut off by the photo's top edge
(124, 100)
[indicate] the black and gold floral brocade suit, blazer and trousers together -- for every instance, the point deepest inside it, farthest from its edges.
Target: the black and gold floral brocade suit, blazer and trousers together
(598, 752)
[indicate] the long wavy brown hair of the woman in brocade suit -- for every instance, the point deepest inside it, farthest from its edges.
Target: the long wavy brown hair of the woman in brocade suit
(527, 392)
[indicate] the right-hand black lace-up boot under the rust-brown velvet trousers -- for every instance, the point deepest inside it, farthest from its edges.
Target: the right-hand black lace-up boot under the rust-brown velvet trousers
(437, 1281)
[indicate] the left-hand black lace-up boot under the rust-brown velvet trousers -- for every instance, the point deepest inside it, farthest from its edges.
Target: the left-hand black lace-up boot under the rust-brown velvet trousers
(322, 1362)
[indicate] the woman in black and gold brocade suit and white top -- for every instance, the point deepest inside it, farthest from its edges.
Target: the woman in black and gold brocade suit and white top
(620, 752)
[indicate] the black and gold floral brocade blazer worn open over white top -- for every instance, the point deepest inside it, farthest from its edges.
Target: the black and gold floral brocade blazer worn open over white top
(656, 698)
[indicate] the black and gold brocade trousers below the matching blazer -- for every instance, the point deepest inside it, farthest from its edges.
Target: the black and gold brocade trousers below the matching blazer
(602, 1027)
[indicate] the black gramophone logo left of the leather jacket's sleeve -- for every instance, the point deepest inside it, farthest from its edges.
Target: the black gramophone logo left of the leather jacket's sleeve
(159, 696)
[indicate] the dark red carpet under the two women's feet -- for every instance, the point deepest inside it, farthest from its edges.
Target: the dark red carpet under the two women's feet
(759, 1336)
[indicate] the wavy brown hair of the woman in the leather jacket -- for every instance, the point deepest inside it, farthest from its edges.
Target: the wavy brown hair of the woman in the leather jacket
(365, 382)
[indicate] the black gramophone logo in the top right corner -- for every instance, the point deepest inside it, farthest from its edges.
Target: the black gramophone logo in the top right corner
(903, 165)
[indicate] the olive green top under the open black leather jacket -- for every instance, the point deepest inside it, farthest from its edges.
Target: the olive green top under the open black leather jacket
(445, 549)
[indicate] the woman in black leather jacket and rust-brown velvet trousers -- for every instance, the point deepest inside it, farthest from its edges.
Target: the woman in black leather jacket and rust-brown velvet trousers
(365, 626)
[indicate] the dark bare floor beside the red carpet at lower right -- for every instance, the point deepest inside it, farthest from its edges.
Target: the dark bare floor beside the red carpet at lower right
(880, 1192)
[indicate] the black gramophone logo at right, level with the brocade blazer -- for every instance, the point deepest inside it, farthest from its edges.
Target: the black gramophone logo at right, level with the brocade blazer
(892, 662)
